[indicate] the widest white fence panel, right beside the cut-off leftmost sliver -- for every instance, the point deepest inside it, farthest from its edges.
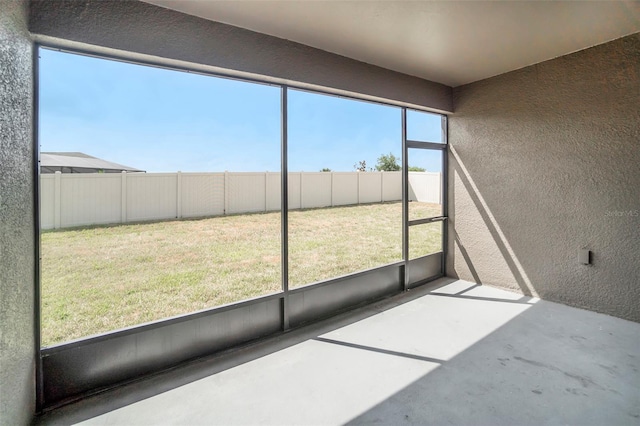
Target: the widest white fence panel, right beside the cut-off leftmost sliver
(89, 199)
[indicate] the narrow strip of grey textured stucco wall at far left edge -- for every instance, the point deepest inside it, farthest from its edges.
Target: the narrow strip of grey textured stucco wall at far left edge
(17, 389)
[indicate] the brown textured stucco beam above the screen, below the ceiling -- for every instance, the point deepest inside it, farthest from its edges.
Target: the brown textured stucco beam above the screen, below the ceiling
(147, 29)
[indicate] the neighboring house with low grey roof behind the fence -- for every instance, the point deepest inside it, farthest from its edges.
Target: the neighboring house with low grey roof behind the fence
(78, 162)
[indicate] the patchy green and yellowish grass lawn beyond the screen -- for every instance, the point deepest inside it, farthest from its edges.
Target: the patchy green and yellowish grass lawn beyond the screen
(104, 278)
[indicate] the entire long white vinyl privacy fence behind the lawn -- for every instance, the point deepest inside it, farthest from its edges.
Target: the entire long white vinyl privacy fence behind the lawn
(68, 200)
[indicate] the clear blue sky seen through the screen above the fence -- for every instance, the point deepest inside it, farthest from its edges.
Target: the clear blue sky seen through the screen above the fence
(164, 121)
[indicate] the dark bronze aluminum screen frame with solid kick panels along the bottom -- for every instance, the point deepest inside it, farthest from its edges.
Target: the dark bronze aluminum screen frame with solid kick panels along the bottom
(94, 366)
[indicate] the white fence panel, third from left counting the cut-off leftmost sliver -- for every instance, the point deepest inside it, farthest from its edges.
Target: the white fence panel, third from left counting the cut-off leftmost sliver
(151, 196)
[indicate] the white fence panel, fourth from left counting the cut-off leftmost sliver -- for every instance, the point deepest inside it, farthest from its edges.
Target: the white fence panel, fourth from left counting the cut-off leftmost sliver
(202, 194)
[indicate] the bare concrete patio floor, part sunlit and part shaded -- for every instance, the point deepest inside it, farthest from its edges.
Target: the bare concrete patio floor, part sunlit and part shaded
(453, 353)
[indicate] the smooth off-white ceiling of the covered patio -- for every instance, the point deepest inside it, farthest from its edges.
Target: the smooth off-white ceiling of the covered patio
(450, 42)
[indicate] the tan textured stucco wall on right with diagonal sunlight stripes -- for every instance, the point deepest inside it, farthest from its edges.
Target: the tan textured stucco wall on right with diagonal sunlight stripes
(545, 161)
